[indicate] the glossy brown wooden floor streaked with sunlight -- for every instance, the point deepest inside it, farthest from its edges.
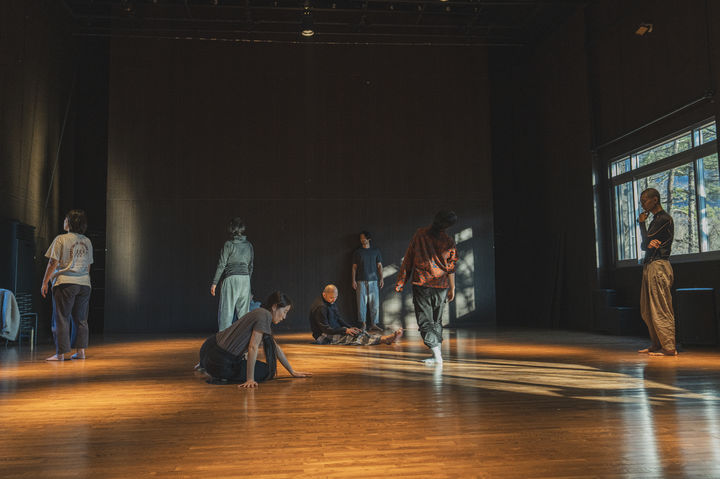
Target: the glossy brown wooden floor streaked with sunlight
(513, 404)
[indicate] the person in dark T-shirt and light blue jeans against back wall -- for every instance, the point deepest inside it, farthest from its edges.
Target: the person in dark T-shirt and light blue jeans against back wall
(367, 281)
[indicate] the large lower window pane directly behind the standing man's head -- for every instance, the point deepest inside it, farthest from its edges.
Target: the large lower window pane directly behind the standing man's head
(677, 196)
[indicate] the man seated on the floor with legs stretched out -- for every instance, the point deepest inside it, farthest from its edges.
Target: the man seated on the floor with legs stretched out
(328, 327)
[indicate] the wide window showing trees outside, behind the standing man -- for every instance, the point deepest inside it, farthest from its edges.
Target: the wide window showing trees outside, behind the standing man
(684, 169)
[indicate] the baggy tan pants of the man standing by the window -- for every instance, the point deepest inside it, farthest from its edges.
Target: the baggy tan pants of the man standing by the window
(656, 304)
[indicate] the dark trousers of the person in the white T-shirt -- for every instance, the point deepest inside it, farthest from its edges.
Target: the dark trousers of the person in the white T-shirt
(69, 322)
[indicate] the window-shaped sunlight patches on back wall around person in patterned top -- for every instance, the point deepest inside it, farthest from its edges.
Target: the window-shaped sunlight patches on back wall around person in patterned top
(396, 310)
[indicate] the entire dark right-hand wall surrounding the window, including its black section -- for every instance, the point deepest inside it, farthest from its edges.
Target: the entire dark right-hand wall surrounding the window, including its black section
(568, 99)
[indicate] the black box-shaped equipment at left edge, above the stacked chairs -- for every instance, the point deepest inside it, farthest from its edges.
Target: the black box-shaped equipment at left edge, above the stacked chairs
(17, 252)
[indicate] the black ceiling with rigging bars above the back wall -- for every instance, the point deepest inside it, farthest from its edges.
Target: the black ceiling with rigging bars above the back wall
(467, 22)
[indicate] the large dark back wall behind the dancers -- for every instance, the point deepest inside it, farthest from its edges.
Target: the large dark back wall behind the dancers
(310, 144)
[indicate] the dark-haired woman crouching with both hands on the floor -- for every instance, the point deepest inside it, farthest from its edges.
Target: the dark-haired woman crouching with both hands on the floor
(231, 354)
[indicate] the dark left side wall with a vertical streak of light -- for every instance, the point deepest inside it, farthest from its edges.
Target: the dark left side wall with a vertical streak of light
(37, 66)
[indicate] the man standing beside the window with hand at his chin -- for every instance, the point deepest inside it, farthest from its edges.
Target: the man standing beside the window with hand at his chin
(655, 297)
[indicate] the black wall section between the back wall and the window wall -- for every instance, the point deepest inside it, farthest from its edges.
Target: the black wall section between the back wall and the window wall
(543, 182)
